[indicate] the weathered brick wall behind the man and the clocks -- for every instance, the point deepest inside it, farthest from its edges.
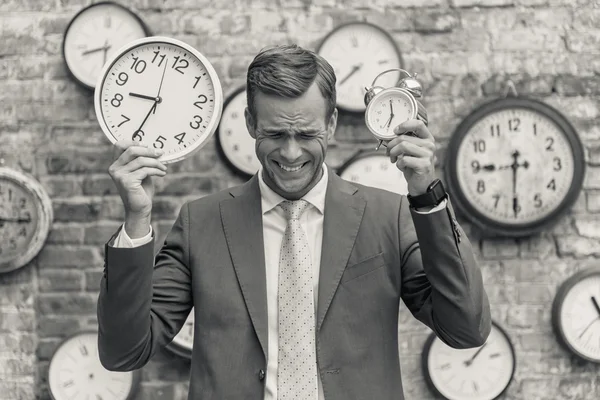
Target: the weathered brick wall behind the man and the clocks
(463, 49)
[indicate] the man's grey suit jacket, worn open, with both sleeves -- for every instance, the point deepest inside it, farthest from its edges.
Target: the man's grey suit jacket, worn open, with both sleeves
(376, 251)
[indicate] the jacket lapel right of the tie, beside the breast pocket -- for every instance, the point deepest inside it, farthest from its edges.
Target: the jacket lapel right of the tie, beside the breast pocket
(343, 214)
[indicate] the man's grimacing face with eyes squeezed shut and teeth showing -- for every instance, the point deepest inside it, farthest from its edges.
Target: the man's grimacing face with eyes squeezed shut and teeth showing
(291, 140)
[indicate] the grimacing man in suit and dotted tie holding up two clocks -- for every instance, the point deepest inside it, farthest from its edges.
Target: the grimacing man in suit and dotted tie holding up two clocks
(295, 276)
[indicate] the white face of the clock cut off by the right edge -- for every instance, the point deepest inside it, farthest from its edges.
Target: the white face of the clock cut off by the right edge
(580, 317)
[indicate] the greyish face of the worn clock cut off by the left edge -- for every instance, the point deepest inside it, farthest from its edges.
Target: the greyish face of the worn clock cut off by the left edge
(18, 220)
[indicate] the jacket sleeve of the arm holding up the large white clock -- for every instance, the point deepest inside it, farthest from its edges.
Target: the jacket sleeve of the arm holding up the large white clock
(144, 300)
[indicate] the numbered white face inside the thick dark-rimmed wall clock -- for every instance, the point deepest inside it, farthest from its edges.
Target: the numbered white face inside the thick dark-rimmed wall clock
(515, 165)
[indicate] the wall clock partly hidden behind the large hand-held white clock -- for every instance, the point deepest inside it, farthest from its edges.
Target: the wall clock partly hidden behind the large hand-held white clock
(94, 34)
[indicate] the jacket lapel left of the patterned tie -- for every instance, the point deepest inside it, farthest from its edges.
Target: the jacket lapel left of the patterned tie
(241, 216)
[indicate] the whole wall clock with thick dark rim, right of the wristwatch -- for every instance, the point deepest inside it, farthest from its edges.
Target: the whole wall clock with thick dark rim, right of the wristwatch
(514, 166)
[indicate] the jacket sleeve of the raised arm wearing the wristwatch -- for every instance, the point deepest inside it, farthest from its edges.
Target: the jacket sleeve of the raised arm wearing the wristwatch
(441, 282)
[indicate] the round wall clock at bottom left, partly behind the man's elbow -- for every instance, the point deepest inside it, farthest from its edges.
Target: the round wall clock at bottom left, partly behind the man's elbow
(75, 372)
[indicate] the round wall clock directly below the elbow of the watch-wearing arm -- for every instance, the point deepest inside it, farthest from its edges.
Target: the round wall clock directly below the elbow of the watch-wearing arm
(481, 373)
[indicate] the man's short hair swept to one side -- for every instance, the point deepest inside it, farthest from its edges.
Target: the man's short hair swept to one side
(288, 71)
